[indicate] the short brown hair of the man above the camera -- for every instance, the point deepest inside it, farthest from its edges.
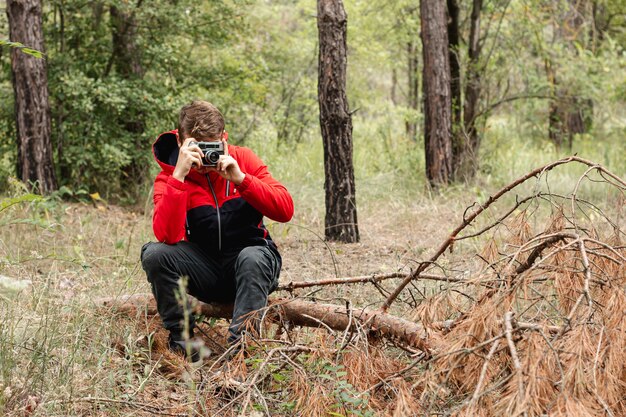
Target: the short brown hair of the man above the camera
(200, 119)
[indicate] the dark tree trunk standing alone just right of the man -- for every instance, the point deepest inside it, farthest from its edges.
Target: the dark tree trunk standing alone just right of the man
(336, 124)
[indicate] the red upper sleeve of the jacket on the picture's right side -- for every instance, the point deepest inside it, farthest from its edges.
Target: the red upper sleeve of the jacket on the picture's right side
(263, 192)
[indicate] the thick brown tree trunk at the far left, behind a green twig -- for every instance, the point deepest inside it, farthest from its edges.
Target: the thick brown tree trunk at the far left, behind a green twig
(32, 108)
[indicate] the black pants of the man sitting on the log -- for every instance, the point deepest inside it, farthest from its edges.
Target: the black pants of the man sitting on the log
(246, 278)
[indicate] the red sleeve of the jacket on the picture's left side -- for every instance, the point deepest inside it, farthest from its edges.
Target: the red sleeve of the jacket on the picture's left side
(170, 209)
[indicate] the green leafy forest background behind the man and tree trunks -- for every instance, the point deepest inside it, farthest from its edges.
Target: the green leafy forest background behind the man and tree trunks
(257, 61)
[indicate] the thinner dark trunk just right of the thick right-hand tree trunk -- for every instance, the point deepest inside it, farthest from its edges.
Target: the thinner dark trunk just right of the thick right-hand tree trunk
(468, 162)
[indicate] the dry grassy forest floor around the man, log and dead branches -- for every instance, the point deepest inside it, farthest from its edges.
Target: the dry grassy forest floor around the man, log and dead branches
(61, 354)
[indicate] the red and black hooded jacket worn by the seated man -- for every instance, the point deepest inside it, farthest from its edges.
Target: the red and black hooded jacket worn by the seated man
(213, 212)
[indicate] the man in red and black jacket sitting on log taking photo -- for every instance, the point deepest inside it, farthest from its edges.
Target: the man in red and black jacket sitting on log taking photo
(209, 224)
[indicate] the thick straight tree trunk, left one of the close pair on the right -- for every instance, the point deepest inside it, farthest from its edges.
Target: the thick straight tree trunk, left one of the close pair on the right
(437, 95)
